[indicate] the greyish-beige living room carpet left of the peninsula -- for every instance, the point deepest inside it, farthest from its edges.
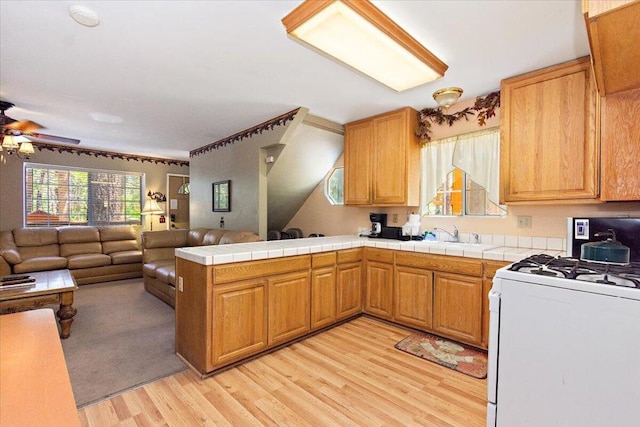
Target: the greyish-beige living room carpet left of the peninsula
(121, 337)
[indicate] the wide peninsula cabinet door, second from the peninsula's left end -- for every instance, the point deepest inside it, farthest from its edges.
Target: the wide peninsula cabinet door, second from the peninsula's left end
(288, 307)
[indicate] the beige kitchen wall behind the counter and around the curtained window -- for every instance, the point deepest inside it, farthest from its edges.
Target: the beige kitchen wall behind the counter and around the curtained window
(317, 215)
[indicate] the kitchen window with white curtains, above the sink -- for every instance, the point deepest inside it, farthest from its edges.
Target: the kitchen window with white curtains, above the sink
(460, 175)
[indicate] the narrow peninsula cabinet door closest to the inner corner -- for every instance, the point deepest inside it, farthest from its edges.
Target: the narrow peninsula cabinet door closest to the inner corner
(348, 289)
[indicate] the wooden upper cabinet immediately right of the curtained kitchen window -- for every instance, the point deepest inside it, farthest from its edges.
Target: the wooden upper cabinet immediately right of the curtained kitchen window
(549, 147)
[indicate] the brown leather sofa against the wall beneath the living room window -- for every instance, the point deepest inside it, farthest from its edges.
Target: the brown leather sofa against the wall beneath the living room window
(92, 254)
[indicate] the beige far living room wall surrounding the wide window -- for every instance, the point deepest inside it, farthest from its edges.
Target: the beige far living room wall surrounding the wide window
(11, 180)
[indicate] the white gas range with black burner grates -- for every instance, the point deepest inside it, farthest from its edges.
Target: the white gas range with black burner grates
(564, 344)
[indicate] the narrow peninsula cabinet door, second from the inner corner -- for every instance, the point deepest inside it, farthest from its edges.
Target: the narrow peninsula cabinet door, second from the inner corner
(323, 297)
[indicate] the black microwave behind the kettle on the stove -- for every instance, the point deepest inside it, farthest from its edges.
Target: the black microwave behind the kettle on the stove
(583, 230)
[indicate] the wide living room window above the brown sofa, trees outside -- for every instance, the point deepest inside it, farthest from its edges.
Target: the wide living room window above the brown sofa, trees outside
(59, 195)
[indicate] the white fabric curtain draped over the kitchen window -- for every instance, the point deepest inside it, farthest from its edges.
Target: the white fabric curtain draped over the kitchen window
(477, 154)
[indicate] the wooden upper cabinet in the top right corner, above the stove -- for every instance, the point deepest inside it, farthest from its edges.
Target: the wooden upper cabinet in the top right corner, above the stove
(614, 38)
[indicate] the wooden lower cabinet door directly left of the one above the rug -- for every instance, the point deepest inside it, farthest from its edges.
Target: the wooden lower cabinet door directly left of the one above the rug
(413, 297)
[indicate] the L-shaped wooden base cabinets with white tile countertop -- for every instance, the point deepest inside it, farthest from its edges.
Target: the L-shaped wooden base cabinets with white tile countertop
(236, 301)
